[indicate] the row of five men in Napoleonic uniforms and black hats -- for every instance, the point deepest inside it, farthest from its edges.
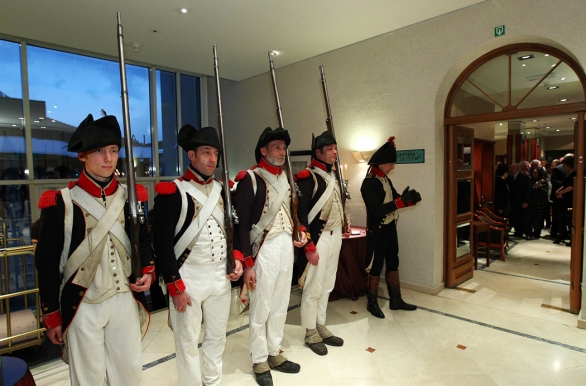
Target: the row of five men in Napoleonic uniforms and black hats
(93, 301)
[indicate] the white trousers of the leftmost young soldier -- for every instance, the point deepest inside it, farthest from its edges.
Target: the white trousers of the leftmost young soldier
(104, 341)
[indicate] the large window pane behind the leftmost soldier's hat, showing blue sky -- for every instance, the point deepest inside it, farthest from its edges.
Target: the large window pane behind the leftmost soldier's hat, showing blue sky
(64, 88)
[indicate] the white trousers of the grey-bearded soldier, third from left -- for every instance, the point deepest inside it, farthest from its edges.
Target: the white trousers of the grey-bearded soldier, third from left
(273, 268)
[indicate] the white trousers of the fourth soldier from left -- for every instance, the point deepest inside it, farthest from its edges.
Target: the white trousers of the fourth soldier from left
(321, 279)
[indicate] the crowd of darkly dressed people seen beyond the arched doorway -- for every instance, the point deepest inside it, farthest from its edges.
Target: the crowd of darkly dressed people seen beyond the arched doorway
(537, 195)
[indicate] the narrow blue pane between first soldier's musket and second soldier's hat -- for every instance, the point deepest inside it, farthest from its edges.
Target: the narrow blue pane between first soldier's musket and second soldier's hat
(167, 115)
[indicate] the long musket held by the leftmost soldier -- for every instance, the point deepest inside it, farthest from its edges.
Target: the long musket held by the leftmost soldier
(136, 213)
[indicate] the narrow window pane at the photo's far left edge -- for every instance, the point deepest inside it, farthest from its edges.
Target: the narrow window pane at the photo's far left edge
(12, 142)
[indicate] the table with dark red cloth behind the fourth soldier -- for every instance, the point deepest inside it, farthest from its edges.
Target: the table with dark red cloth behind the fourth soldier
(351, 277)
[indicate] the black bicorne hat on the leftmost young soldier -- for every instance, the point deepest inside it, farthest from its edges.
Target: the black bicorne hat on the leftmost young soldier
(92, 134)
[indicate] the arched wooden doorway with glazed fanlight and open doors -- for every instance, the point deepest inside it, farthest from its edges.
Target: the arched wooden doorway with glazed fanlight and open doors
(513, 86)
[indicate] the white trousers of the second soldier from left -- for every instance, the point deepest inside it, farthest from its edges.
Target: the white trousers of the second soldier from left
(209, 290)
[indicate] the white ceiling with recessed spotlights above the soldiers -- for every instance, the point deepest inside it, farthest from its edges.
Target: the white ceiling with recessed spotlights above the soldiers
(243, 30)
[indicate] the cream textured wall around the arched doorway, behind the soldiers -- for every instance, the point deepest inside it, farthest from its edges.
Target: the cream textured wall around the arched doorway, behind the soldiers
(396, 84)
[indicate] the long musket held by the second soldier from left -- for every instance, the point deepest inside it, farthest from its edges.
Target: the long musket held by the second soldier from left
(229, 212)
